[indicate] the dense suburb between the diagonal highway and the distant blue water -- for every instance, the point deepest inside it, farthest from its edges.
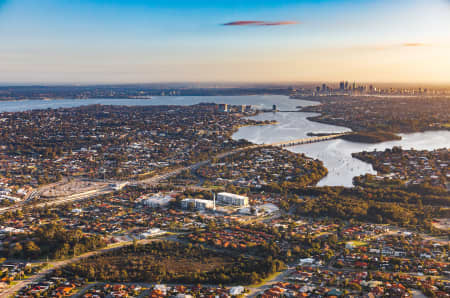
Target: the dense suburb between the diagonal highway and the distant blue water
(154, 138)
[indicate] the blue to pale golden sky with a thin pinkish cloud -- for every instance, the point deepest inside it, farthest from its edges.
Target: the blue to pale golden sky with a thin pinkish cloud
(144, 41)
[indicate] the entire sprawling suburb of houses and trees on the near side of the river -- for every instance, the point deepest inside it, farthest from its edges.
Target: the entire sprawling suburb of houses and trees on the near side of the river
(233, 215)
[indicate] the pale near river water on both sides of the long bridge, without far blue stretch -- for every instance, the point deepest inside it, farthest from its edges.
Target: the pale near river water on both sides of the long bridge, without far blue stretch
(336, 154)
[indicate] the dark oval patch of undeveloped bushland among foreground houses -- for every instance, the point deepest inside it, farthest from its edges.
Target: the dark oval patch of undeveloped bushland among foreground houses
(172, 262)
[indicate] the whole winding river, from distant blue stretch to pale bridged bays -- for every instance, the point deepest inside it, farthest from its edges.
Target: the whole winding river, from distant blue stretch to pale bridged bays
(336, 154)
